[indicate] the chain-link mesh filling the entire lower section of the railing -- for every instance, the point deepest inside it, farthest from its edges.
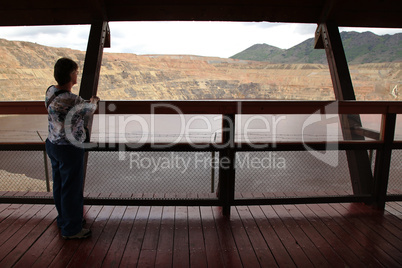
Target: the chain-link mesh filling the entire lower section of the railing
(282, 173)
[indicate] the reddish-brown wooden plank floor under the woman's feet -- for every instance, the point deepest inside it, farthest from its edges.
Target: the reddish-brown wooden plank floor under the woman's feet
(312, 235)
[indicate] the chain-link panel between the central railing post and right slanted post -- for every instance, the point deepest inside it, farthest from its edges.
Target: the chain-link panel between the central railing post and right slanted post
(289, 173)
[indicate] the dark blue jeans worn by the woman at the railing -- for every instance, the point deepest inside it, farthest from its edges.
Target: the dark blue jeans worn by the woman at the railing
(68, 176)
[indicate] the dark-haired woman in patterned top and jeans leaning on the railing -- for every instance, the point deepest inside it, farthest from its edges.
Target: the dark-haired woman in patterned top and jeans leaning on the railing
(66, 156)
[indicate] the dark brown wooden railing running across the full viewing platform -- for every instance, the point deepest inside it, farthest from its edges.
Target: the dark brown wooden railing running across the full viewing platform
(383, 143)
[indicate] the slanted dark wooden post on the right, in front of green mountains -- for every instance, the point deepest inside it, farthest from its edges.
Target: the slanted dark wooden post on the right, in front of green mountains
(358, 160)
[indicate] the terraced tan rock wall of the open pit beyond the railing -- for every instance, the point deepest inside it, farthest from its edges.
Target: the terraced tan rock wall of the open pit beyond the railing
(26, 70)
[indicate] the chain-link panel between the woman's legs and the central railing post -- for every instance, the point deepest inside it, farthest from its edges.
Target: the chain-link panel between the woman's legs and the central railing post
(152, 172)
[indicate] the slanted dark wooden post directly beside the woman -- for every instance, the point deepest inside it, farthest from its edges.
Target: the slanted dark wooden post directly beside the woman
(99, 34)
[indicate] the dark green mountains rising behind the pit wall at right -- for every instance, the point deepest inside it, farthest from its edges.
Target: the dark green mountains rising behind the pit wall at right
(359, 48)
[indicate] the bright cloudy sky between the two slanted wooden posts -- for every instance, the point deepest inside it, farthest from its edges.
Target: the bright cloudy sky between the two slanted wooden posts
(221, 39)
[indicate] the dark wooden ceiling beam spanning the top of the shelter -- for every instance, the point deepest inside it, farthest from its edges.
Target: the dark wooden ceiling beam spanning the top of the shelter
(368, 13)
